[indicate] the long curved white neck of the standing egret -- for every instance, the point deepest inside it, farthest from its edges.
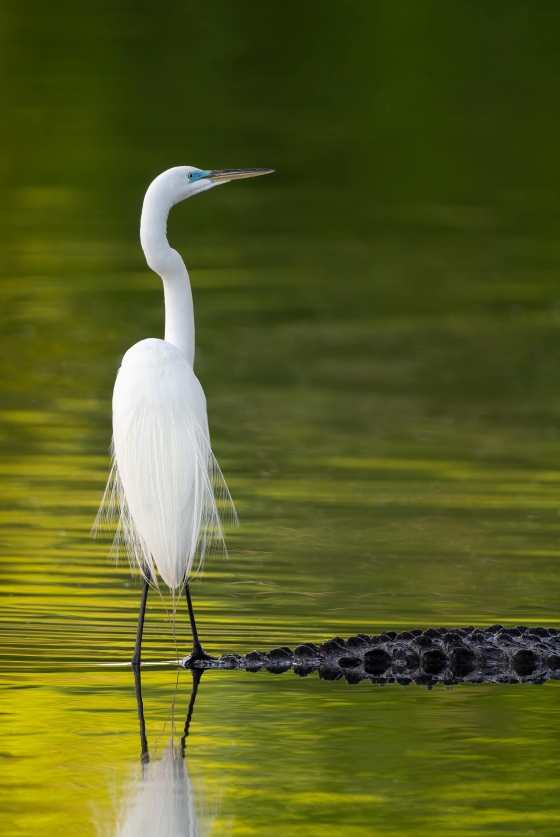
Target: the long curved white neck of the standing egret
(179, 314)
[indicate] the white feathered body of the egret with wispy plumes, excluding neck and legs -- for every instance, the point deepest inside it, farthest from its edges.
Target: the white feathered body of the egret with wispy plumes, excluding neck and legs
(168, 476)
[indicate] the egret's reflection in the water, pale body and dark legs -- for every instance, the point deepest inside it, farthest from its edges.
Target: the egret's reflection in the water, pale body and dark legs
(163, 801)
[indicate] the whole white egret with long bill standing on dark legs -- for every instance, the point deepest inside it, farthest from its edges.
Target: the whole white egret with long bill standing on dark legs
(164, 479)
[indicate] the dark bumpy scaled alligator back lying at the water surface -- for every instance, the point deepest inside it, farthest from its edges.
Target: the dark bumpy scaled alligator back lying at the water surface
(436, 655)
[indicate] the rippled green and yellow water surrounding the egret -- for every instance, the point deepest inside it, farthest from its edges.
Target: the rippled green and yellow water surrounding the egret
(378, 329)
